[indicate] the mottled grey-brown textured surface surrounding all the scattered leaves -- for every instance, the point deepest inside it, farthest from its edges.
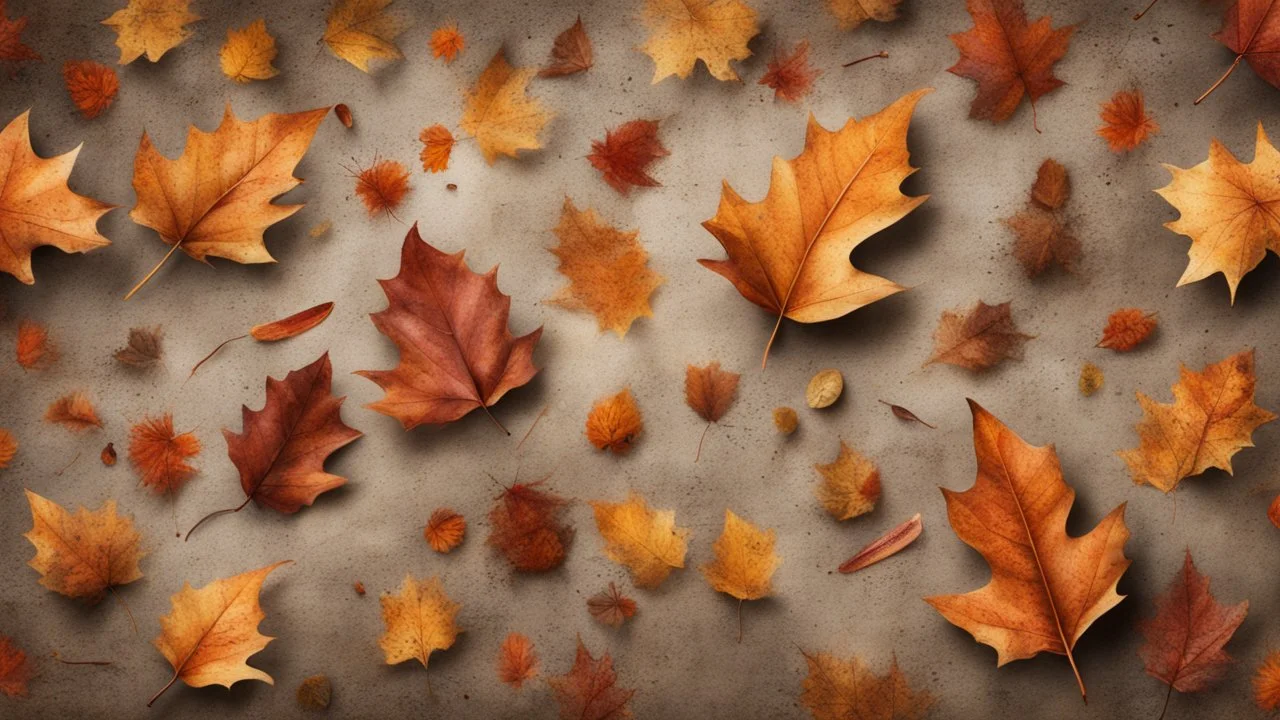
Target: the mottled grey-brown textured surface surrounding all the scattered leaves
(680, 651)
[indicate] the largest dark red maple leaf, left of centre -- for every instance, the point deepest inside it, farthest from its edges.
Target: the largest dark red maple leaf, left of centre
(444, 376)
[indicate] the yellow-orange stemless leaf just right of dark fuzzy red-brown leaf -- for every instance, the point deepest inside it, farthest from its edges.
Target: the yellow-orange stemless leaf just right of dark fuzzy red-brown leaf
(644, 540)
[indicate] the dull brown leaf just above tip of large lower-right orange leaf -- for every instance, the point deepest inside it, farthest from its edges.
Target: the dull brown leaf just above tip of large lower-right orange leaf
(980, 339)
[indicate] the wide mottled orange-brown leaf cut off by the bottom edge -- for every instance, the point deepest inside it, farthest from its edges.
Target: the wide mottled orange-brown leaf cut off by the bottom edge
(848, 690)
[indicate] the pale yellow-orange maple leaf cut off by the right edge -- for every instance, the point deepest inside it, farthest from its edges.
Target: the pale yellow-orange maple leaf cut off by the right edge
(1228, 209)
